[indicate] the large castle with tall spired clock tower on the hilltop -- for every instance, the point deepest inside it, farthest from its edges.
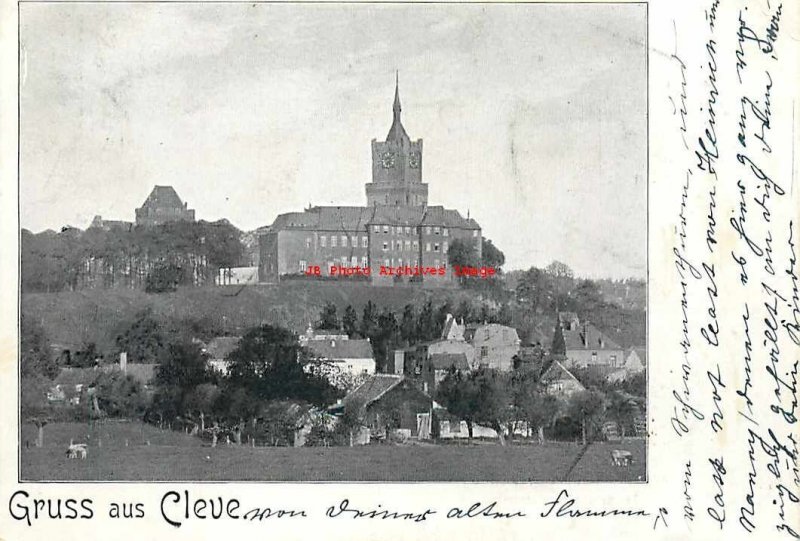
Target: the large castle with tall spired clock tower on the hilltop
(397, 228)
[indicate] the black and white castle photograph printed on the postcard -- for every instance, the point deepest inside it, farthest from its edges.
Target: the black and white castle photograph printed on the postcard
(324, 242)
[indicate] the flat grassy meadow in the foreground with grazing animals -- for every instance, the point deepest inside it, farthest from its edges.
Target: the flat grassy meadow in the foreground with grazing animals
(172, 456)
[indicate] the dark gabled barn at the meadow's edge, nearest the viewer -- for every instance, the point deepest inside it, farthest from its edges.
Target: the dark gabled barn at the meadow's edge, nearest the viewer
(386, 403)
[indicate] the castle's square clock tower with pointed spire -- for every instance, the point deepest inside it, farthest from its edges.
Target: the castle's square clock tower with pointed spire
(397, 166)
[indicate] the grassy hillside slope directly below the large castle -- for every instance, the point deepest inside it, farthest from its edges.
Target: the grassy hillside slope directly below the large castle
(96, 315)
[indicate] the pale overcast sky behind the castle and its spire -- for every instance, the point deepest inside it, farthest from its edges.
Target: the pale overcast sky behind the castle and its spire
(533, 117)
